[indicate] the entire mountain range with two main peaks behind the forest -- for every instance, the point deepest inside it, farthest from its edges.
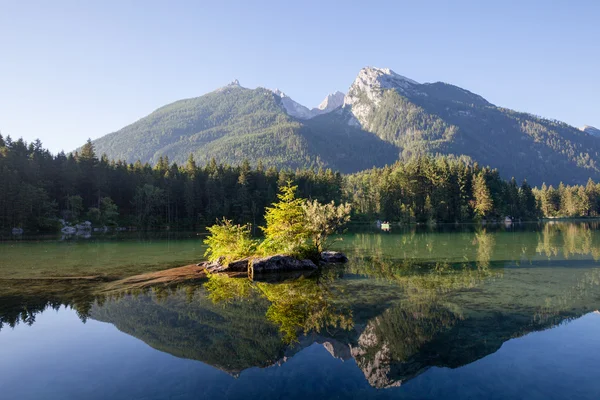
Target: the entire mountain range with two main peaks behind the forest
(383, 117)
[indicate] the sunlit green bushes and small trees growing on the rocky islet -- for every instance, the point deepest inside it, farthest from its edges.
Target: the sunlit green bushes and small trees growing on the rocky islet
(295, 227)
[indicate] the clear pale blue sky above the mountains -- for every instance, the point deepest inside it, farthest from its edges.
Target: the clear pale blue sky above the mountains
(70, 70)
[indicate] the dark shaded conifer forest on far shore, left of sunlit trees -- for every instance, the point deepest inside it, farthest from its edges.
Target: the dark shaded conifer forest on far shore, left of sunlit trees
(37, 189)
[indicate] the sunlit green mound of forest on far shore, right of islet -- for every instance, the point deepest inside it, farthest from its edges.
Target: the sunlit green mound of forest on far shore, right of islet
(426, 189)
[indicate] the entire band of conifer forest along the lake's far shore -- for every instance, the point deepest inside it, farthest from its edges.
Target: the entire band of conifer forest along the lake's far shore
(38, 188)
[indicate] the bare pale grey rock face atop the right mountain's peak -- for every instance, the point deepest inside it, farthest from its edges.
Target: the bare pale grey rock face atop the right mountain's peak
(367, 91)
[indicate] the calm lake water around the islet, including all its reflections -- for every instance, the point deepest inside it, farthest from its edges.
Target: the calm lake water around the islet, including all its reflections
(449, 312)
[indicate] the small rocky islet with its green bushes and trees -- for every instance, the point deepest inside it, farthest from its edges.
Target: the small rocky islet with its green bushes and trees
(295, 238)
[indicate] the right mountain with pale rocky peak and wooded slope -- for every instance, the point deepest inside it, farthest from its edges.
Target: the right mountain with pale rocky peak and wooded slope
(439, 118)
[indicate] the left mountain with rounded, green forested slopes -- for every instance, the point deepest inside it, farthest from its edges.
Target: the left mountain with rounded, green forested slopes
(234, 123)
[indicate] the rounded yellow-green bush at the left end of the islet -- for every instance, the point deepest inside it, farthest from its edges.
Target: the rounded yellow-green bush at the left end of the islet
(228, 242)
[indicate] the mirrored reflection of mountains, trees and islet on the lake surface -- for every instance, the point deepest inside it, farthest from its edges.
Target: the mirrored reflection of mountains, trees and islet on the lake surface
(403, 304)
